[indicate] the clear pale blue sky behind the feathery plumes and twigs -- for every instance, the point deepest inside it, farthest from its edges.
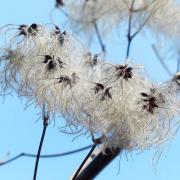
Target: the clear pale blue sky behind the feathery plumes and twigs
(19, 131)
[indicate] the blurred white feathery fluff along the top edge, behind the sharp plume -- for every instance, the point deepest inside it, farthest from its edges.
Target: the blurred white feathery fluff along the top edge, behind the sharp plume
(161, 16)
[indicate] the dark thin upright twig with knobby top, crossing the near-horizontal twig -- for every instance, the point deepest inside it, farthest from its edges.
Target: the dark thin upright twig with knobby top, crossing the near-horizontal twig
(45, 124)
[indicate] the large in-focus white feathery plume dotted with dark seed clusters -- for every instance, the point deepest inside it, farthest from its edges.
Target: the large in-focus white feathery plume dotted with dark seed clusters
(114, 101)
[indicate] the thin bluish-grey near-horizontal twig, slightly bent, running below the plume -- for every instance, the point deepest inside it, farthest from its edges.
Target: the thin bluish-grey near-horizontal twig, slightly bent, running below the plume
(45, 155)
